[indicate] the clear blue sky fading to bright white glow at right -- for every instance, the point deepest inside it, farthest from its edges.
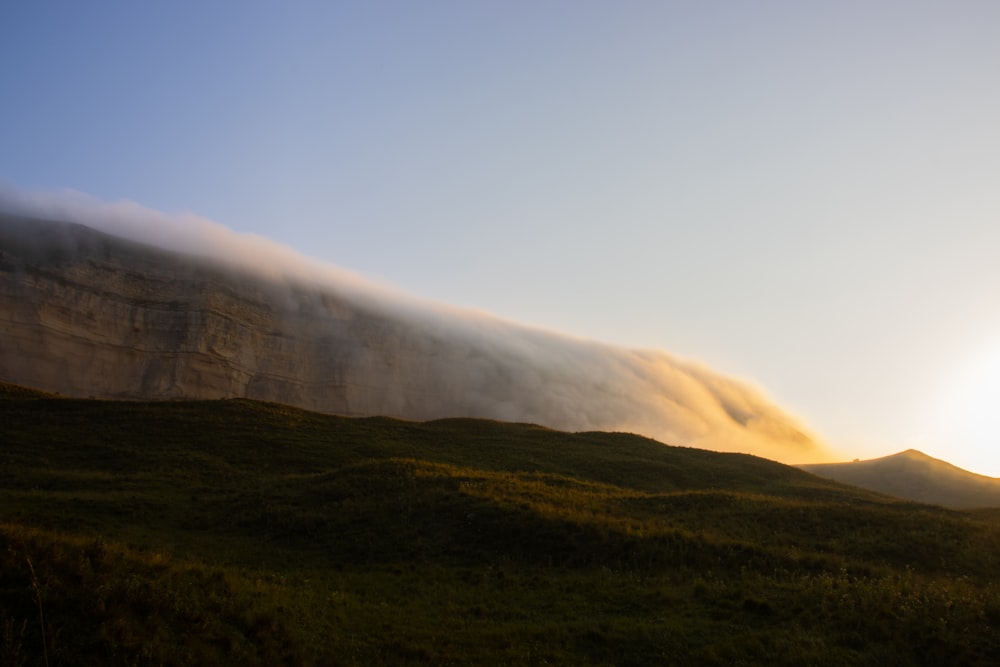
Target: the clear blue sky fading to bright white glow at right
(805, 195)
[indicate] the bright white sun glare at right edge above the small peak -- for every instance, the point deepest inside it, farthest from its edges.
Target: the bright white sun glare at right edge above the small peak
(969, 412)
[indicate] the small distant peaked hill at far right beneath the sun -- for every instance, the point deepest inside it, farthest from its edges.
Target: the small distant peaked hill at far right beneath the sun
(915, 476)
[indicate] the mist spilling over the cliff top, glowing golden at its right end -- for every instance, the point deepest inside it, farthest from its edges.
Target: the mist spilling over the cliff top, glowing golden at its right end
(478, 365)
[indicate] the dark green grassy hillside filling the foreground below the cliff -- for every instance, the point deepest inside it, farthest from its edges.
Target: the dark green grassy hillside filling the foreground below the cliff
(236, 532)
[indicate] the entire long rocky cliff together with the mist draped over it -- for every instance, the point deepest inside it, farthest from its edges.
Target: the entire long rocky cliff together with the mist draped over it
(87, 313)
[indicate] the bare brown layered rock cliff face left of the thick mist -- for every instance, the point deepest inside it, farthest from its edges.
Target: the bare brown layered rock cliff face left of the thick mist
(86, 314)
